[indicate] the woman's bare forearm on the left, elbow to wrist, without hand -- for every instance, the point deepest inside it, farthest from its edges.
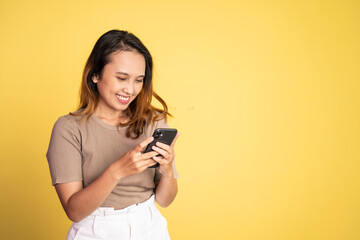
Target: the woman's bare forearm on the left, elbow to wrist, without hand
(87, 200)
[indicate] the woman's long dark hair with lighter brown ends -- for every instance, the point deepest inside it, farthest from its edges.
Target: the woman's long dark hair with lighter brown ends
(140, 110)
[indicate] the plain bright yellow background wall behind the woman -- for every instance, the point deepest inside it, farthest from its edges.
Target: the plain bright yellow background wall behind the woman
(264, 93)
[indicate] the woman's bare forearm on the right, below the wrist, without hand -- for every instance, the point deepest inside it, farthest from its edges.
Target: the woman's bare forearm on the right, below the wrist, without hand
(166, 190)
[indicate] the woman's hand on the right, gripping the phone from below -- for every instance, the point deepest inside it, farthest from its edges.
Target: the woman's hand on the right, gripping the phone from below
(167, 156)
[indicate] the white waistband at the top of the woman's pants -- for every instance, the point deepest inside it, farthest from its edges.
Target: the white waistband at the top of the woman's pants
(106, 211)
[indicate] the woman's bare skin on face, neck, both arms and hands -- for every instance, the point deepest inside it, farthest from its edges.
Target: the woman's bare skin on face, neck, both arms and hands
(79, 202)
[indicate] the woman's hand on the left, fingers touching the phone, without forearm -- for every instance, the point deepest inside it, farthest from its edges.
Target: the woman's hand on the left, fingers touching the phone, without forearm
(134, 161)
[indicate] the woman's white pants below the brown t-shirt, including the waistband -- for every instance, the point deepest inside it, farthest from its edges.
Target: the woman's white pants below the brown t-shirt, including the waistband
(139, 221)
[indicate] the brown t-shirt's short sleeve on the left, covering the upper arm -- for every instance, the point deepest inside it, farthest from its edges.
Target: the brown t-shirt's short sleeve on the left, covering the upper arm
(64, 152)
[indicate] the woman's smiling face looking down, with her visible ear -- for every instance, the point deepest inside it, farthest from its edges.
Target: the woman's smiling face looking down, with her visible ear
(121, 81)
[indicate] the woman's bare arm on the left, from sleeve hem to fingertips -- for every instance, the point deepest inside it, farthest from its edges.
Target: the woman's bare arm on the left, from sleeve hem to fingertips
(79, 202)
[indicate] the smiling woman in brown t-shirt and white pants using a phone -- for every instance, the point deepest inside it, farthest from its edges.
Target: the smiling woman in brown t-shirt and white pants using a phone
(103, 179)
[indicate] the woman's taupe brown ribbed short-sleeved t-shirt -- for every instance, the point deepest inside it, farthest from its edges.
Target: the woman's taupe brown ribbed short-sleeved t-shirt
(81, 150)
